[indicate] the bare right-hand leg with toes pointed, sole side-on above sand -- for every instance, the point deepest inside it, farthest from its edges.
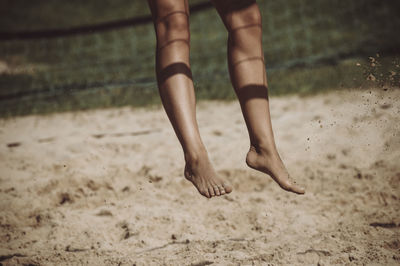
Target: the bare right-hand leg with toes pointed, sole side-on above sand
(242, 19)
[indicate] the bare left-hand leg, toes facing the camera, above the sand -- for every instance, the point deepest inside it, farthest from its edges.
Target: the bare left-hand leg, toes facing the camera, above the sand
(171, 21)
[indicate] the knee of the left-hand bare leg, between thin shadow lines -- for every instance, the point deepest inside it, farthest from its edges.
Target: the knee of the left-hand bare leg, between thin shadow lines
(174, 25)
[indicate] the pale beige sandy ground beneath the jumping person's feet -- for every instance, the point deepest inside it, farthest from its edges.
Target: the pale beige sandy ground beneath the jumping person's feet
(105, 187)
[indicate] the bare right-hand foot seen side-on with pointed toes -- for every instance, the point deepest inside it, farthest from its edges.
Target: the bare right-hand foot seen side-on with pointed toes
(262, 160)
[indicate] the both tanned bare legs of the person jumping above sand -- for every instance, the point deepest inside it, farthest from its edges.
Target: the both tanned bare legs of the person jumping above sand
(242, 20)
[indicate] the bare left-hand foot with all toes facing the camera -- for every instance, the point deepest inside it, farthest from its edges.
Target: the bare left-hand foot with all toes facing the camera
(200, 172)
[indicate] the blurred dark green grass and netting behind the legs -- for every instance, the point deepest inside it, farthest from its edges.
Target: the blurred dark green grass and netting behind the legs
(76, 55)
